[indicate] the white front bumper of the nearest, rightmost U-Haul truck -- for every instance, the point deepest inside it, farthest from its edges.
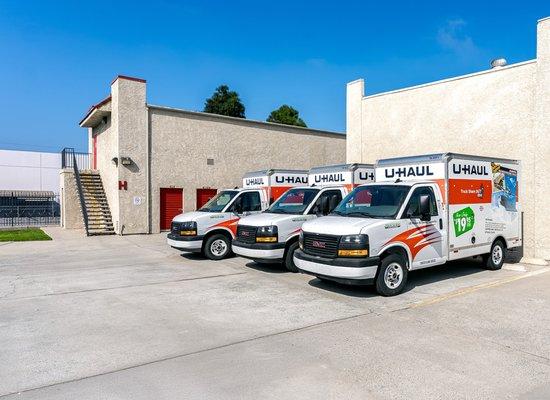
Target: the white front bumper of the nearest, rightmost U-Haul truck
(357, 271)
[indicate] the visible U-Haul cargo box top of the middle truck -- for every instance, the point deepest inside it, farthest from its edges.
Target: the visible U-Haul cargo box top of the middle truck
(348, 175)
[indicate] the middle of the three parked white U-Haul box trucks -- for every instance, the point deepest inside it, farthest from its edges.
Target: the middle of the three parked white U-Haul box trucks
(272, 236)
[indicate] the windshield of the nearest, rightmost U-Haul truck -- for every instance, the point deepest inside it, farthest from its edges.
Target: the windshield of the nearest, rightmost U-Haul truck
(376, 201)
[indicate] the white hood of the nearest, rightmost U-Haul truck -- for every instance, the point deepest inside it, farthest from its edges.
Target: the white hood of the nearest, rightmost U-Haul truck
(336, 225)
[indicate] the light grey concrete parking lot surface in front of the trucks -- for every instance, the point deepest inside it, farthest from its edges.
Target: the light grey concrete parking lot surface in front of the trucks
(130, 318)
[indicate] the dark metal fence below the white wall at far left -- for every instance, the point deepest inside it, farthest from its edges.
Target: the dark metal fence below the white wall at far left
(29, 208)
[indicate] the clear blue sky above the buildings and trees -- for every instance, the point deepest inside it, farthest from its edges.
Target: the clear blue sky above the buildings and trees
(58, 57)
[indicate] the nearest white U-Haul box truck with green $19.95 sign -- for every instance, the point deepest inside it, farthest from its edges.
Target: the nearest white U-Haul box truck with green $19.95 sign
(422, 211)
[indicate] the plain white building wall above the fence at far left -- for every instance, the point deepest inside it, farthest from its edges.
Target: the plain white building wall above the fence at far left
(29, 170)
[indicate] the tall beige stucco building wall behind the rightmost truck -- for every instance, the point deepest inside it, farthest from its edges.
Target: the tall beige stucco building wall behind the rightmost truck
(502, 112)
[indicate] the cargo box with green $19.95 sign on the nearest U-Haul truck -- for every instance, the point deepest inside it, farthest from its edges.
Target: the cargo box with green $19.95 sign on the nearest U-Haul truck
(479, 196)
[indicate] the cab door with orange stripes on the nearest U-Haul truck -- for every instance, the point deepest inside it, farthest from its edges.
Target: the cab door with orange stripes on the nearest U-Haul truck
(425, 221)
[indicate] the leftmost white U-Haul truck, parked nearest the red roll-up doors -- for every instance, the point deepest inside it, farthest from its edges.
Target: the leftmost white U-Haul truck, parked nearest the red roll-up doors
(212, 227)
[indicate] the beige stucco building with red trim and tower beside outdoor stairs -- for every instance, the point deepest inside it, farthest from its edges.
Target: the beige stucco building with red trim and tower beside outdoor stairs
(142, 151)
